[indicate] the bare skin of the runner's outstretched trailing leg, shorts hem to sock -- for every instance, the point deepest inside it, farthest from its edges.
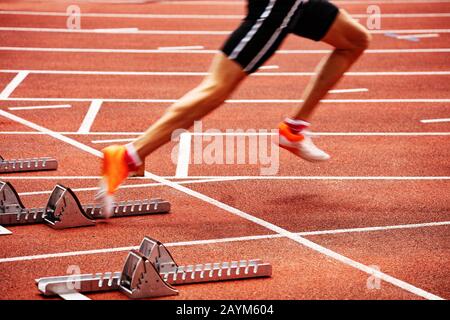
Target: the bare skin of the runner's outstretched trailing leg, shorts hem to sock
(224, 77)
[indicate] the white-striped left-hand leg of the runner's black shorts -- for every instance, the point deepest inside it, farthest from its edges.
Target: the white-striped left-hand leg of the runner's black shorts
(261, 33)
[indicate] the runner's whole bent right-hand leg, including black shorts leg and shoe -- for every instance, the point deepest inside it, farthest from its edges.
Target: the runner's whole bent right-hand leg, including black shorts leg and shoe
(321, 20)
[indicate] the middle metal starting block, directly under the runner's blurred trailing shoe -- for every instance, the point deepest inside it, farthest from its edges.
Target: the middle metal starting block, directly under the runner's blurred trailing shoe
(63, 209)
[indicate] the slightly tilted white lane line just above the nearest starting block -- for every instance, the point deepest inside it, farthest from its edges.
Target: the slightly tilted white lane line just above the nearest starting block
(226, 240)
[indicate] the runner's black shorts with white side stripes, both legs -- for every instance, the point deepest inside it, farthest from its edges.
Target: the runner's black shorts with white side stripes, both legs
(267, 24)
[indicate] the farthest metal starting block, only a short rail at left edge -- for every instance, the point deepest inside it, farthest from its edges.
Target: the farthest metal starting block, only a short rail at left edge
(25, 165)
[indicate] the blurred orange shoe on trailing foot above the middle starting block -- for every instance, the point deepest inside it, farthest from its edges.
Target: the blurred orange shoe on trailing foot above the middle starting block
(116, 168)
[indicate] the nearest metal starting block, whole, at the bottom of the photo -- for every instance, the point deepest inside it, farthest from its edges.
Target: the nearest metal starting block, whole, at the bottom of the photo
(152, 272)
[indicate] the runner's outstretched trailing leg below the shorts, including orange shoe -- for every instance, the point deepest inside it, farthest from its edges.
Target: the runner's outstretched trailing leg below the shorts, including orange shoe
(119, 161)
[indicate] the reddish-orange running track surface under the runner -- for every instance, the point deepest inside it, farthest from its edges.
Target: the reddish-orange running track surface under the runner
(388, 169)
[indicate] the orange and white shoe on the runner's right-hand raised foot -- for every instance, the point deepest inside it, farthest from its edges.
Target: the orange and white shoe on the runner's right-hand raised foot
(299, 142)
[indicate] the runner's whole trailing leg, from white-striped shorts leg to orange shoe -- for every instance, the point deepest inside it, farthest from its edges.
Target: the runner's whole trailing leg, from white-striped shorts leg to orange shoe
(257, 38)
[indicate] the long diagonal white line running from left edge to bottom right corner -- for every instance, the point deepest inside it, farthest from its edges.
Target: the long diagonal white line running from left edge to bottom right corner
(294, 237)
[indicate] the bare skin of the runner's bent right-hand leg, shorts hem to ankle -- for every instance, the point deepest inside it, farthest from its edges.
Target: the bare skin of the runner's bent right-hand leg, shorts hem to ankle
(349, 39)
